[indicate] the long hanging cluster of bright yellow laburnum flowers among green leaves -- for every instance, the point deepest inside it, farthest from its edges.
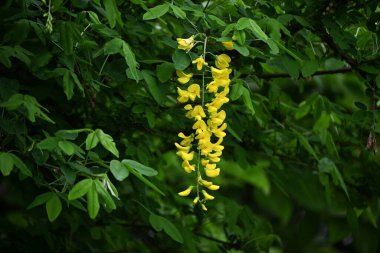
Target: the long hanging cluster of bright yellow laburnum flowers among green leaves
(201, 149)
